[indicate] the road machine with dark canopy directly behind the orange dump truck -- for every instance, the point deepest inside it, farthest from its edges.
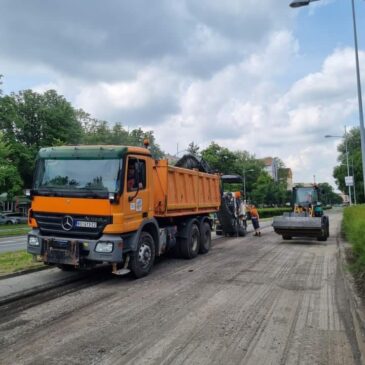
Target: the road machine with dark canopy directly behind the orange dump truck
(232, 212)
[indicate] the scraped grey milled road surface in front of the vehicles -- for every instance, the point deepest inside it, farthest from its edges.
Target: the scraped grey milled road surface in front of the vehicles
(251, 300)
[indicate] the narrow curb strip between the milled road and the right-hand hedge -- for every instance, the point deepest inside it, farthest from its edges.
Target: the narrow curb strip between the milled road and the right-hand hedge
(357, 308)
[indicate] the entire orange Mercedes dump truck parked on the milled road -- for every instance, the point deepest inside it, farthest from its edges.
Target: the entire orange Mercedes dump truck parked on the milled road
(117, 205)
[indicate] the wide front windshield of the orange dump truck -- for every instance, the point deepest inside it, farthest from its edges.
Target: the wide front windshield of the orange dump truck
(100, 176)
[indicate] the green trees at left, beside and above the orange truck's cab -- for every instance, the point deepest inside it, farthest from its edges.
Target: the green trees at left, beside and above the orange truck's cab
(31, 120)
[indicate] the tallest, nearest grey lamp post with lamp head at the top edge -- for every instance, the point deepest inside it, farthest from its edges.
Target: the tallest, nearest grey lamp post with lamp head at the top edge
(297, 4)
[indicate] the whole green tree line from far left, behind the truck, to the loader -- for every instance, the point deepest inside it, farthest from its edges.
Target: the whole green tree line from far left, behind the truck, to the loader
(31, 120)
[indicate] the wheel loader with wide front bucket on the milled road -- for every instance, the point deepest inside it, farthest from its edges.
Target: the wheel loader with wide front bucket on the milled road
(306, 219)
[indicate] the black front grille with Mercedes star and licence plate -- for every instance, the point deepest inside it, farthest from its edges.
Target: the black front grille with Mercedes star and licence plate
(70, 225)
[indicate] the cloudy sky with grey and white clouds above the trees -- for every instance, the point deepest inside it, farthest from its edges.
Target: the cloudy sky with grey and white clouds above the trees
(247, 74)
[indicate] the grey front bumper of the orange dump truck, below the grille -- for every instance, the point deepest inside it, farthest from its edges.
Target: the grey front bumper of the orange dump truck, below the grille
(74, 251)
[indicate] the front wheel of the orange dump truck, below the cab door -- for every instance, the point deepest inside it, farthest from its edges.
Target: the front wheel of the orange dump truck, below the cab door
(141, 261)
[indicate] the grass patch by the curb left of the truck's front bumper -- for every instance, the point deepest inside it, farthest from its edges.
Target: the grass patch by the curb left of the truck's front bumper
(12, 262)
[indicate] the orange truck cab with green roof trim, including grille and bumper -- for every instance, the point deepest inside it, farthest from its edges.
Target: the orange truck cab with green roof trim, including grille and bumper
(81, 201)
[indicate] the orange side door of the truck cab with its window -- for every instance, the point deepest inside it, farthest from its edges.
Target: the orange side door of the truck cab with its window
(136, 192)
